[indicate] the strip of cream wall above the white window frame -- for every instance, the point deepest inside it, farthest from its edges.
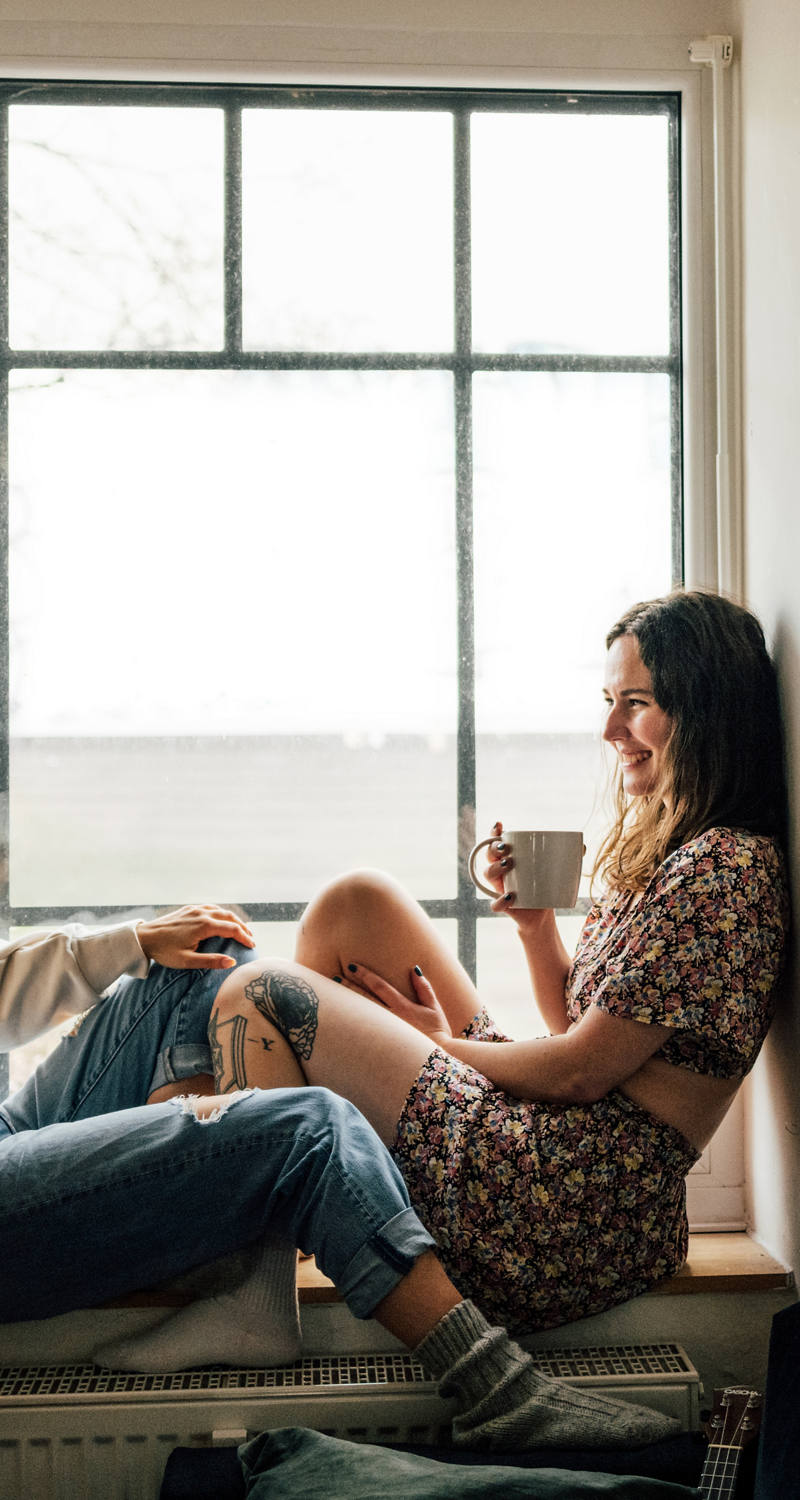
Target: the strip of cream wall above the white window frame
(281, 38)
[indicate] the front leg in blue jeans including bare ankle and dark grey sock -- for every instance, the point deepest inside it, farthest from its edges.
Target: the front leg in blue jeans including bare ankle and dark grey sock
(160, 1190)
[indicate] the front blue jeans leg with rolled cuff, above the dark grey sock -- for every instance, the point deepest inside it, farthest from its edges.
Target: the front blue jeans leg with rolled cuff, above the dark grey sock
(100, 1208)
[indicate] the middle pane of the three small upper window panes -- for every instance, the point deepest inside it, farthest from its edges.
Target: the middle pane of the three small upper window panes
(347, 230)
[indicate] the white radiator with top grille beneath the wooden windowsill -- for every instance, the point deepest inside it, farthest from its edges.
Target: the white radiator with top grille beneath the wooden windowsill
(79, 1433)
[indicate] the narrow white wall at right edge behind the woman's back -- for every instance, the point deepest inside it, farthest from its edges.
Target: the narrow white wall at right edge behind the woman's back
(771, 199)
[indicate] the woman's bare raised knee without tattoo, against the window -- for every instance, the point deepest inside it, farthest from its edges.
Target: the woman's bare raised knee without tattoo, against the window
(367, 917)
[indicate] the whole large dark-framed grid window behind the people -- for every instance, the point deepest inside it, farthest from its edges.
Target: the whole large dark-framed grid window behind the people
(341, 428)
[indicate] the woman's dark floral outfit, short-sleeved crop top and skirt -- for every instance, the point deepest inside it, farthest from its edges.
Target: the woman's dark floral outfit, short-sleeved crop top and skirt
(546, 1214)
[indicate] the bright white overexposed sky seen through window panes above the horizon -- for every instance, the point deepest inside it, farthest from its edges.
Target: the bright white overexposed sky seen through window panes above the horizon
(205, 553)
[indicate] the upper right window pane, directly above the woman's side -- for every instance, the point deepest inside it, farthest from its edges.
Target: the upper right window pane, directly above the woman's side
(571, 233)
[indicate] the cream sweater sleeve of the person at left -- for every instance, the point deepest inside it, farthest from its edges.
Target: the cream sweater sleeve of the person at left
(52, 976)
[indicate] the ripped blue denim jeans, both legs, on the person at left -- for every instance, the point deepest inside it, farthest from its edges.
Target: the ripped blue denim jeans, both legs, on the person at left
(101, 1195)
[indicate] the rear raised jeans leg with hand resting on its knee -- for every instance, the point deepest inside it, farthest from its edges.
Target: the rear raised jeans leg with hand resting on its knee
(145, 1034)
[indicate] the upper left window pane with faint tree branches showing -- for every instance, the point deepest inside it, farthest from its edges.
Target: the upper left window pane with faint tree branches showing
(116, 229)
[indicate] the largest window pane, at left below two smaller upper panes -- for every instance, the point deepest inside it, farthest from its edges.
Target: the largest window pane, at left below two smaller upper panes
(244, 680)
